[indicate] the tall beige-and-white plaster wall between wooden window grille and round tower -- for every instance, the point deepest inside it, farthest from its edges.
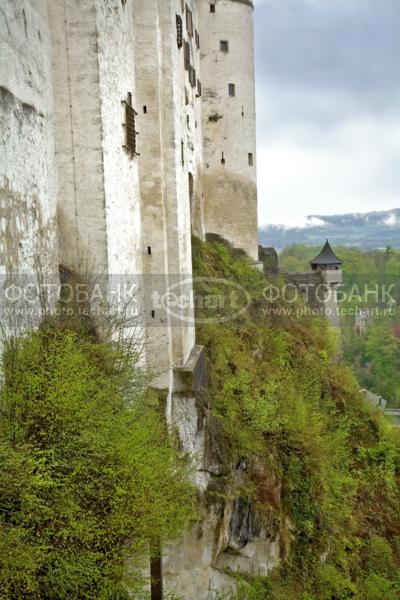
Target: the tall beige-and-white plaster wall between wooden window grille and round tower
(166, 212)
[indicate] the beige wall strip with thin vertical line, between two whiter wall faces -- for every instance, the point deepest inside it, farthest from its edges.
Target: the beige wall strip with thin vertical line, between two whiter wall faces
(81, 193)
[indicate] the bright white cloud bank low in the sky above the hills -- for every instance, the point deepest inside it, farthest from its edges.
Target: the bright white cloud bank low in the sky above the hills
(348, 168)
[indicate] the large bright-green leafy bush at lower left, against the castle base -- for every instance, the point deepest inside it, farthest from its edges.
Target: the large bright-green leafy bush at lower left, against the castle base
(88, 471)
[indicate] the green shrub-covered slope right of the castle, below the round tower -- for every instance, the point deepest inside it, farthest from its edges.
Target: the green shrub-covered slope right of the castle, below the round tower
(330, 475)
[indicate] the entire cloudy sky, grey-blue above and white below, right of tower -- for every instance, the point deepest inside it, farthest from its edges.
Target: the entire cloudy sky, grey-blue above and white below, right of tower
(328, 107)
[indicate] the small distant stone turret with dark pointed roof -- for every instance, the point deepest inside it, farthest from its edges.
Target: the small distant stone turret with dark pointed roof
(330, 268)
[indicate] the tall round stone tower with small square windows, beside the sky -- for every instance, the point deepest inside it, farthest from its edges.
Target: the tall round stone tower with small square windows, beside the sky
(228, 116)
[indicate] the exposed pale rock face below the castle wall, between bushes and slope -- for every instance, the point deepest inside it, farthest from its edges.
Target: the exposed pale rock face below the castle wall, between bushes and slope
(231, 534)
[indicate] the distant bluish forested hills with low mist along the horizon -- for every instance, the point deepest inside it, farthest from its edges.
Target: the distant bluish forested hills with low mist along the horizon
(367, 231)
